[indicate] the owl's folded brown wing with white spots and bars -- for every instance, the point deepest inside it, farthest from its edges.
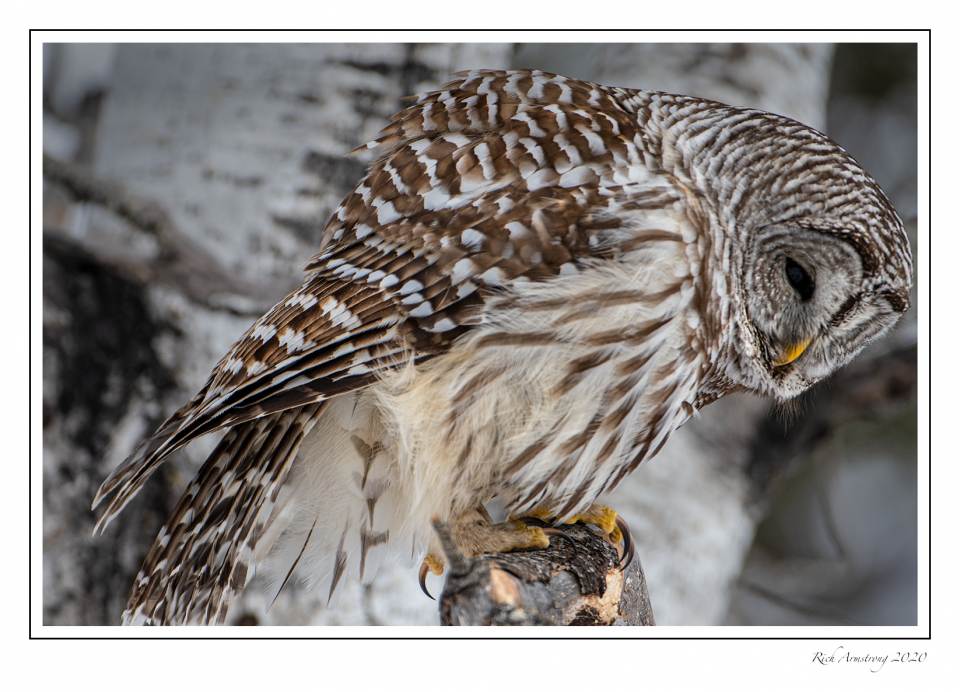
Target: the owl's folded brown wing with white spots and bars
(496, 178)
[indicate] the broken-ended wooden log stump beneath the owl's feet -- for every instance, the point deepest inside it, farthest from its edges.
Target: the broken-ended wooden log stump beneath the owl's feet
(576, 581)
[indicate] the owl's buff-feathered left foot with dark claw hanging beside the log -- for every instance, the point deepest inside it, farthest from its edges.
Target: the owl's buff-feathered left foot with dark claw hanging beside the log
(475, 534)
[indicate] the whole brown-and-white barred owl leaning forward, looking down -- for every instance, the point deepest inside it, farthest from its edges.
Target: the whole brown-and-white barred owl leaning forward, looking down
(537, 281)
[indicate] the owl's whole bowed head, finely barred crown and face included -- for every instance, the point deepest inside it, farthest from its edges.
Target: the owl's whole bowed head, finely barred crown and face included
(825, 265)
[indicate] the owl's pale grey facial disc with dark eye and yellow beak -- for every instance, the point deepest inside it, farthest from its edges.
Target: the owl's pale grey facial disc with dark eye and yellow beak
(813, 298)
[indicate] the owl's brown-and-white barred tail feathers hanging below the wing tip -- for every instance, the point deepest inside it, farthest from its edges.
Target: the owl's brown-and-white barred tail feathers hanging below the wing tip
(203, 554)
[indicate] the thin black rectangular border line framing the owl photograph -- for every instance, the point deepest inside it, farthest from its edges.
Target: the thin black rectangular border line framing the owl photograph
(929, 634)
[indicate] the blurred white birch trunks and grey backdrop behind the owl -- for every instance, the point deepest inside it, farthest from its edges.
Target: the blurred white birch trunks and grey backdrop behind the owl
(185, 186)
